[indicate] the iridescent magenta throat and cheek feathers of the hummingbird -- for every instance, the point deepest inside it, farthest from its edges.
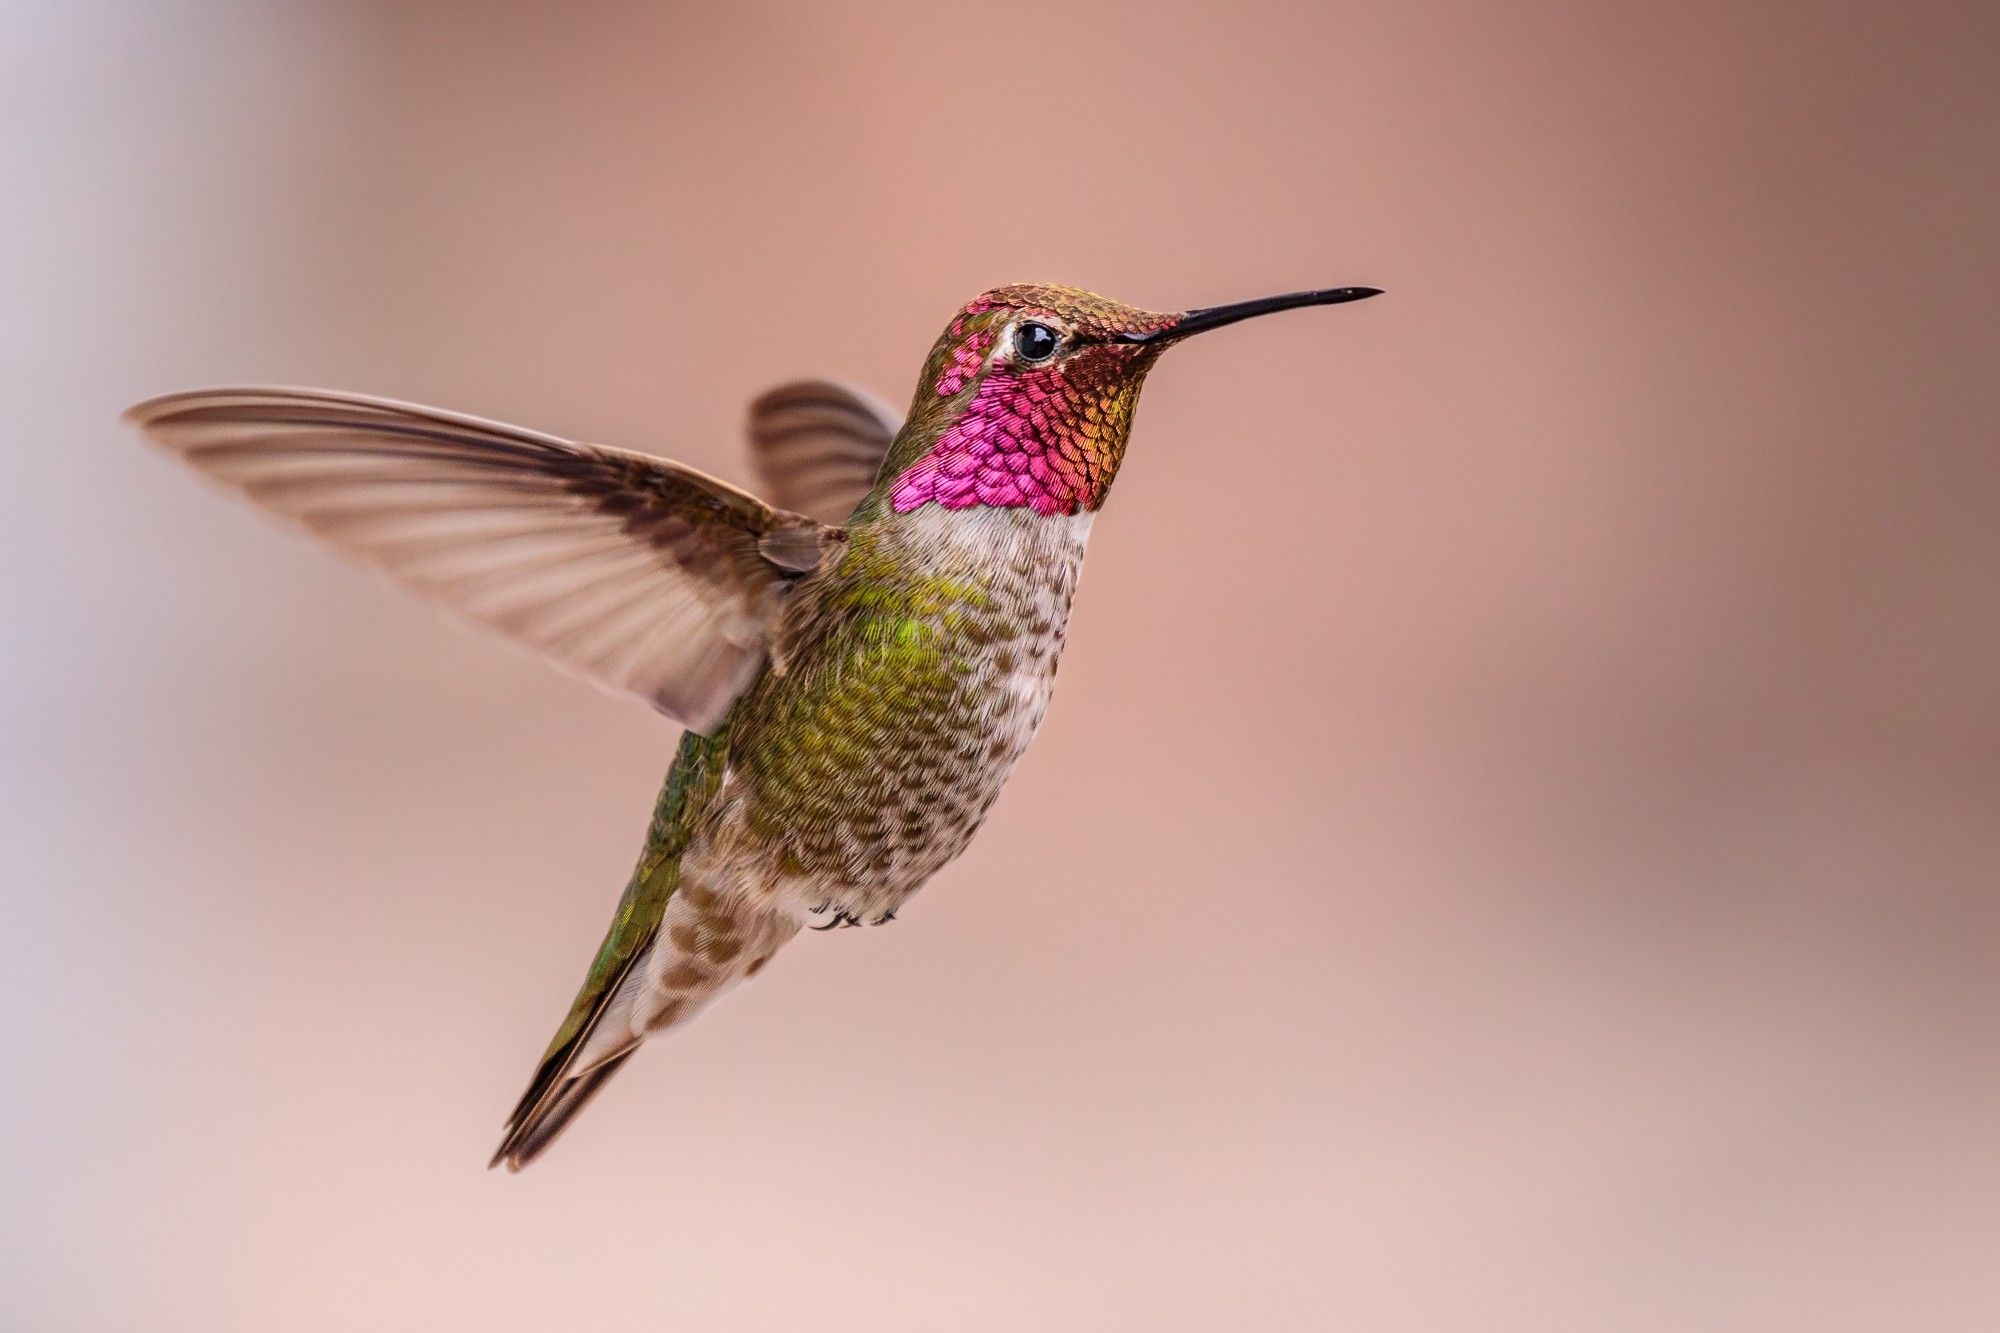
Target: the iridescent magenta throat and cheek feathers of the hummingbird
(1037, 439)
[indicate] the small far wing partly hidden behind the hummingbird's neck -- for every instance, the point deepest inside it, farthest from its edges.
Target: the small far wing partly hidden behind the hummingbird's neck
(819, 445)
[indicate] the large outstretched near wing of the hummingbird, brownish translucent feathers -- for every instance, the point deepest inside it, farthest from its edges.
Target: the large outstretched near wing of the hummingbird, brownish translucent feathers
(641, 575)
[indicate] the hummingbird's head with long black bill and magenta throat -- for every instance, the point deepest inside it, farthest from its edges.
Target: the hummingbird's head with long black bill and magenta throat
(1027, 399)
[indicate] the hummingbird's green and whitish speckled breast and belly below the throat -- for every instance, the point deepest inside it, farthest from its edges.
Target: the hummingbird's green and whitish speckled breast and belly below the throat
(913, 682)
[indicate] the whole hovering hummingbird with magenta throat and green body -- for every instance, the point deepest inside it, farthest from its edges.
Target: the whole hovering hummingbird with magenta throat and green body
(857, 661)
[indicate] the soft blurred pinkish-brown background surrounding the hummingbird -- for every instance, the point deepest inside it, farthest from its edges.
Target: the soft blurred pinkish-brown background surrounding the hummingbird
(1517, 840)
